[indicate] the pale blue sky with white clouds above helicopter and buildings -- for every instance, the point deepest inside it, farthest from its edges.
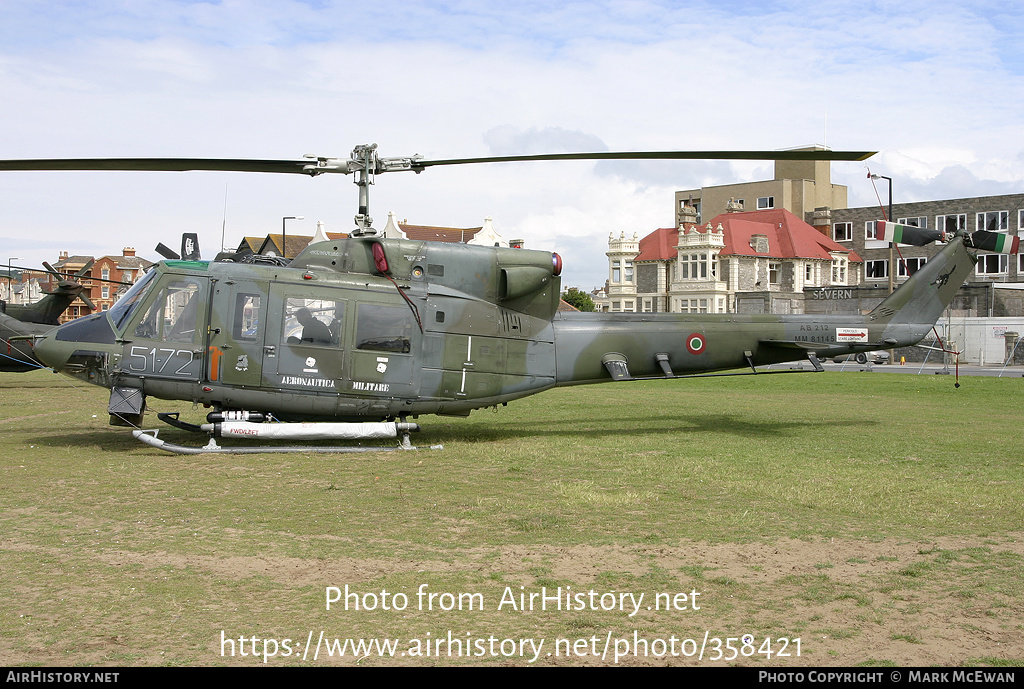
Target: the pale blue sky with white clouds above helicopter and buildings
(935, 88)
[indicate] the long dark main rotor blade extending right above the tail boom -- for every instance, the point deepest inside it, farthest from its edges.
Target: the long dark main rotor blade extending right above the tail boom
(665, 155)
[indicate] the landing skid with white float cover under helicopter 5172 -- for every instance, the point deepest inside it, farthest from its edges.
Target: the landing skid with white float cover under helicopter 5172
(283, 432)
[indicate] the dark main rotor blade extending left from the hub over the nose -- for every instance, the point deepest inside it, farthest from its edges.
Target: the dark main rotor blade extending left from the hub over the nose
(161, 164)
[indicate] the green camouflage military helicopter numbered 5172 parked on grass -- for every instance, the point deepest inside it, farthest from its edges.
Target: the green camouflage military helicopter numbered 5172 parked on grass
(354, 337)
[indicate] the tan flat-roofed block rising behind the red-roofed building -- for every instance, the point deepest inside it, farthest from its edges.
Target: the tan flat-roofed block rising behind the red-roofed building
(799, 187)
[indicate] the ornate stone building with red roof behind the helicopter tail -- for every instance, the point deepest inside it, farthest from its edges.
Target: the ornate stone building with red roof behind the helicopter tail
(739, 263)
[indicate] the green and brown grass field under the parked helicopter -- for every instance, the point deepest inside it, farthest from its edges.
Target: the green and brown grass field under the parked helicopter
(877, 519)
